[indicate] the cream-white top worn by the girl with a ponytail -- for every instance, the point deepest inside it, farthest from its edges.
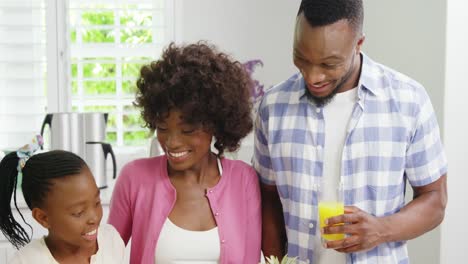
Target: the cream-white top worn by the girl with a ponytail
(111, 250)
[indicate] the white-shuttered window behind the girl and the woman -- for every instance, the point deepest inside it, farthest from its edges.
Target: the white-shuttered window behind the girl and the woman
(77, 55)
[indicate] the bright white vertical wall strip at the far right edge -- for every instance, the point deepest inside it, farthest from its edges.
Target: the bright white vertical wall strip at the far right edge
(454, 248)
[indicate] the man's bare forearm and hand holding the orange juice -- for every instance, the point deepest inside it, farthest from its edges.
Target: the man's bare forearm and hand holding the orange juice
(424, 213)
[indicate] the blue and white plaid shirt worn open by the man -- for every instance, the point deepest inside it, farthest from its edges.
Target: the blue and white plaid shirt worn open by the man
(393, 136)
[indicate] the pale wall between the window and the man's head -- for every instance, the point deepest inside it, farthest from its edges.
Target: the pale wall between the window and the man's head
(260, 29)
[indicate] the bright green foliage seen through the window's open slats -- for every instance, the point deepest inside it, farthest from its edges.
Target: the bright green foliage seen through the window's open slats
(99, 75)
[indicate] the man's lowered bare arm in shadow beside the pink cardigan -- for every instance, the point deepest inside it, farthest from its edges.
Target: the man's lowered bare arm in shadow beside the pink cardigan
(273, 228)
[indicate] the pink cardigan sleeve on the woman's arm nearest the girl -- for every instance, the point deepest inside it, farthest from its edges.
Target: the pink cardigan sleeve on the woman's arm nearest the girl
(120, 212)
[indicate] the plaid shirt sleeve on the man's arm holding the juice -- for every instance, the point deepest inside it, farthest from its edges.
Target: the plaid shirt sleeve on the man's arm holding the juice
(425, 157)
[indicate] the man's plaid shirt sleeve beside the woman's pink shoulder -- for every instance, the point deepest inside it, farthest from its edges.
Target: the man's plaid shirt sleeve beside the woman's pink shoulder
(261, 160)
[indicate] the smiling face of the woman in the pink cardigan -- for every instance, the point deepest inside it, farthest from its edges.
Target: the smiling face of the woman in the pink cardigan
(187, 146)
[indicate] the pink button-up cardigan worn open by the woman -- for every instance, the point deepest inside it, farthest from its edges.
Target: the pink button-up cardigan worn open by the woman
(143, 197)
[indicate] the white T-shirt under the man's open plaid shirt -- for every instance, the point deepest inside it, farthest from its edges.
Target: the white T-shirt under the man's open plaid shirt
(337, 114)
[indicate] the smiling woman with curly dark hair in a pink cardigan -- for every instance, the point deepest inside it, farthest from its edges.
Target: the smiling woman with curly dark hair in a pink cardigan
(191, 204)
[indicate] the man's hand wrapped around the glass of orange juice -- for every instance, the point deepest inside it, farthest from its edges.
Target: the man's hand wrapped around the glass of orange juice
(364, 231)
